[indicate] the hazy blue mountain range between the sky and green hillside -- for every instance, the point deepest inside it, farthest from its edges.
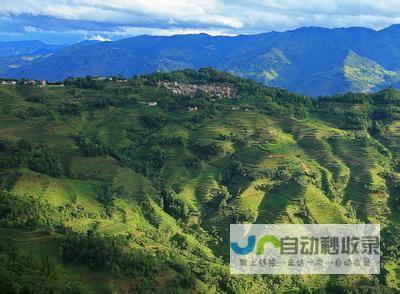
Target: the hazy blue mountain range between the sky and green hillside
(312, 61)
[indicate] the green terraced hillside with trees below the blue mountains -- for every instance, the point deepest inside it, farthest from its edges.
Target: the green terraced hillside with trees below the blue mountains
(131, 187)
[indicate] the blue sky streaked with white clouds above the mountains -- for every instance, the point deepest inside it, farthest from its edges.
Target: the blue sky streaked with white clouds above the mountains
(70, 21)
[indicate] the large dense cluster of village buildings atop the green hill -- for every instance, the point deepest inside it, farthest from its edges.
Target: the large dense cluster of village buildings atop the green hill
(219, 91)
